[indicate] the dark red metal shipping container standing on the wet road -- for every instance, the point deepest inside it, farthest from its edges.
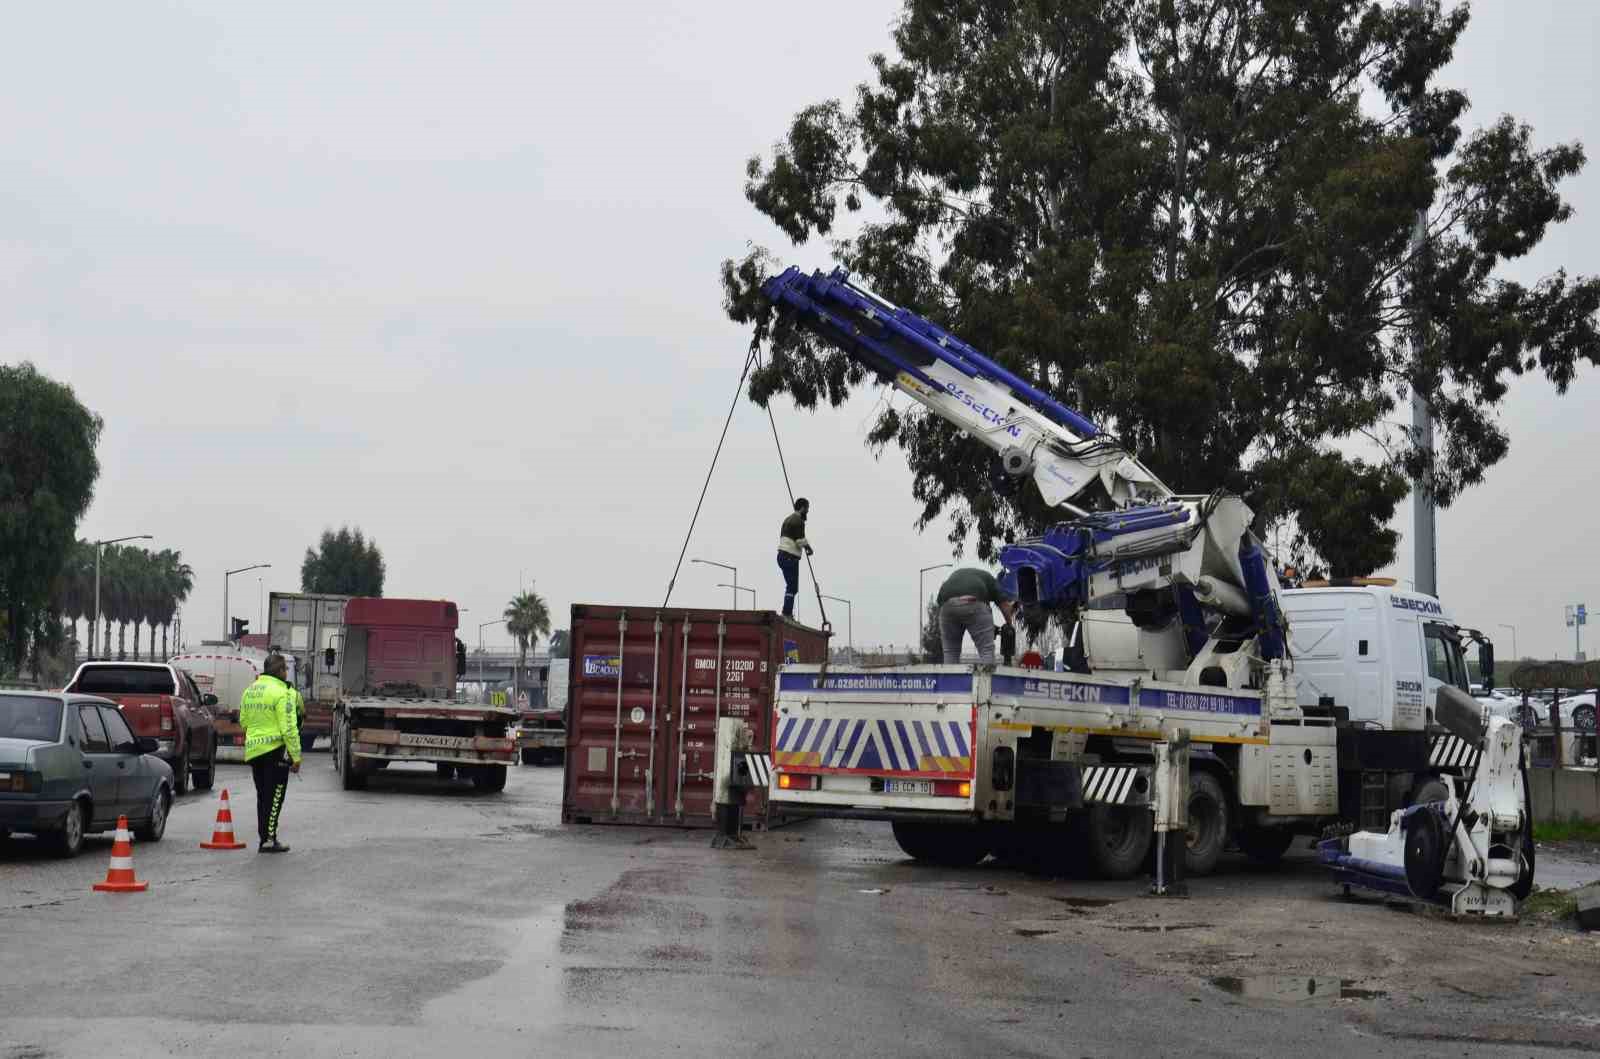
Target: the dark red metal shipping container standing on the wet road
(644, 705)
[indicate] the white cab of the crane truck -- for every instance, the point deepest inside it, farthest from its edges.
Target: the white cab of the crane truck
(1375, 650)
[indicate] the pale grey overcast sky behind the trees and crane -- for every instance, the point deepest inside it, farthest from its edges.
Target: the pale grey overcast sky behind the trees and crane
(449, 273)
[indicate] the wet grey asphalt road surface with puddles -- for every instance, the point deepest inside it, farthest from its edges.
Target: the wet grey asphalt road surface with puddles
(422, 917)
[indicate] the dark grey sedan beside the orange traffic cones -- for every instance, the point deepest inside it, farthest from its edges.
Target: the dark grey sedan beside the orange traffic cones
(71, 765)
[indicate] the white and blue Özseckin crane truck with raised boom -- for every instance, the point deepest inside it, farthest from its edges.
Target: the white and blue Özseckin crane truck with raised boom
(1311, 711)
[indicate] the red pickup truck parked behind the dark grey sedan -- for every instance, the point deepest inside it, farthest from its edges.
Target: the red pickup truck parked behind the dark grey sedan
(161, 701)
